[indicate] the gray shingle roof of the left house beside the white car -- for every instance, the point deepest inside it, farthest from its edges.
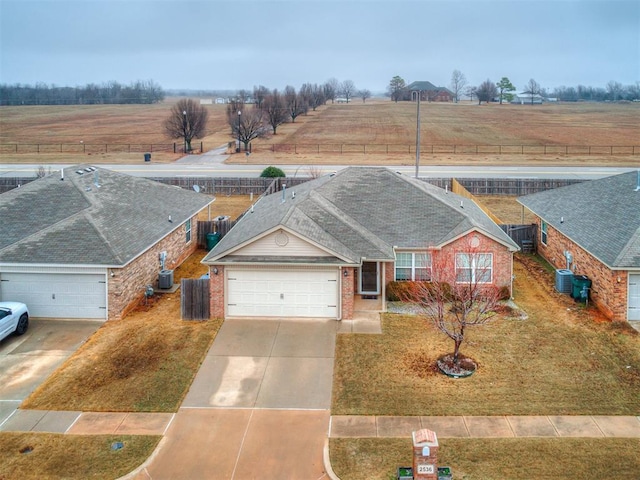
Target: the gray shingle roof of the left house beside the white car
(75, 222)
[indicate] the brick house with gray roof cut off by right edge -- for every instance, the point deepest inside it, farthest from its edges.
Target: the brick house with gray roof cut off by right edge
(596, 225)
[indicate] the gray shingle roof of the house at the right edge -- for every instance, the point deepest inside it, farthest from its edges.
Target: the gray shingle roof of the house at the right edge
(602, 216)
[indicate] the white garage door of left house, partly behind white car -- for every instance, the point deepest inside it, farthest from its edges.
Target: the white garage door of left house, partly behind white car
(57, 295)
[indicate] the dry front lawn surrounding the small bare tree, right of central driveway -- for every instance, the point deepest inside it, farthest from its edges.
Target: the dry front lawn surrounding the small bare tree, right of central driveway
(562, 360)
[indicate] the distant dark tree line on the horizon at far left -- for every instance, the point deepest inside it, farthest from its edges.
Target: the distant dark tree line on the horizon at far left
(140, 92)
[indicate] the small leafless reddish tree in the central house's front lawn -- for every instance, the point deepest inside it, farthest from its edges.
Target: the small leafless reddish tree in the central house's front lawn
(458, 295)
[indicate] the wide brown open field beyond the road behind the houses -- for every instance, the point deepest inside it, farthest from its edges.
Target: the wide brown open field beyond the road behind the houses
(378, 126)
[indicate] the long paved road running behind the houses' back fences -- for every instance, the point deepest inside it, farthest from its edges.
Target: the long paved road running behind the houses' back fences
(213, 166)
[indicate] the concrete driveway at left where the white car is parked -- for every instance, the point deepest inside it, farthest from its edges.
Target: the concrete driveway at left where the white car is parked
(26, 361)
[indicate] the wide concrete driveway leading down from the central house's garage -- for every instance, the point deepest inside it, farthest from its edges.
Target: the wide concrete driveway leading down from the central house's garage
(258, 407)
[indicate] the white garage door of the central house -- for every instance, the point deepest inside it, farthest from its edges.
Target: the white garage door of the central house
(282, 293)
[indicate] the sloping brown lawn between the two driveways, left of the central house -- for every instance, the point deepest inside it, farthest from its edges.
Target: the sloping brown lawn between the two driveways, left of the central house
(143, 363)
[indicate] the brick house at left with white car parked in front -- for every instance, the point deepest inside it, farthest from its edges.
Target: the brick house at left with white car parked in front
(85, 244)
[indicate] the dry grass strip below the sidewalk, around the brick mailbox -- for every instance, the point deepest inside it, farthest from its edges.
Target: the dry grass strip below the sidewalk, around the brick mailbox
(493, 459)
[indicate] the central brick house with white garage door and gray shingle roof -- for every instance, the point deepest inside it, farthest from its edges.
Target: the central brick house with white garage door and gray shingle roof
(308, 251)
